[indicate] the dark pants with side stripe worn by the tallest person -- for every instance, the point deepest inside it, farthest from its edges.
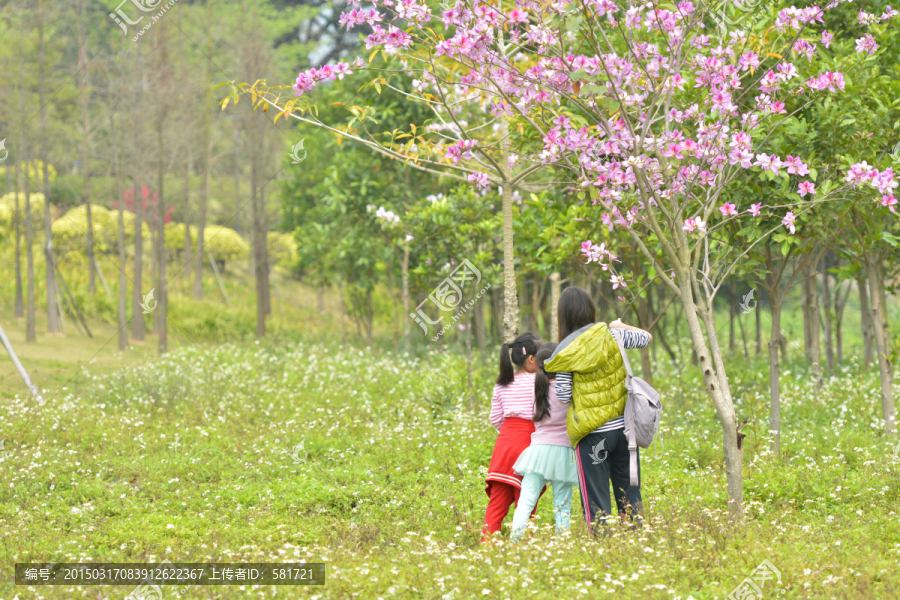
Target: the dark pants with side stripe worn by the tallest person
(601, 458)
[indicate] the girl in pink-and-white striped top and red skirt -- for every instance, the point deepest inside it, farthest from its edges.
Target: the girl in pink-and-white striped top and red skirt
(512, 410)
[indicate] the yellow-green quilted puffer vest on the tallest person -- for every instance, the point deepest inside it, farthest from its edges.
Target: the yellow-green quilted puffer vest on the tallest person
(598, 380)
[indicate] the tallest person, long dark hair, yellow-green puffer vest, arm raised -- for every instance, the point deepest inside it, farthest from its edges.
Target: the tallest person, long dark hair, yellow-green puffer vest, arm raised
(591, 378)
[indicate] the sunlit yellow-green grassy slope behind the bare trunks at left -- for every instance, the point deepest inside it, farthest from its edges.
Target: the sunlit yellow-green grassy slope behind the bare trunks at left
(55, 362)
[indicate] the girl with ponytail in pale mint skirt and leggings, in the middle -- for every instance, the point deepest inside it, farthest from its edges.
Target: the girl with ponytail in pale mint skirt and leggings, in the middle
(549, 458)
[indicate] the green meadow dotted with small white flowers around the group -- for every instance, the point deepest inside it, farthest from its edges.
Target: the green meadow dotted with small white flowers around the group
(189, 458)
